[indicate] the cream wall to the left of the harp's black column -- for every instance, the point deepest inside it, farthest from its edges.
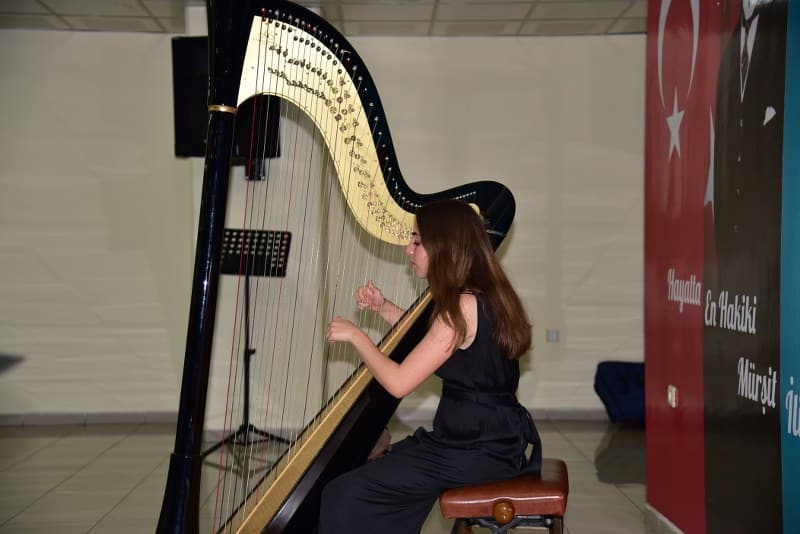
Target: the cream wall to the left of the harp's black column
(95, 225)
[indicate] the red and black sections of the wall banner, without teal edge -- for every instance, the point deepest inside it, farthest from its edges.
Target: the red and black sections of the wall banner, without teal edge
(714, 126)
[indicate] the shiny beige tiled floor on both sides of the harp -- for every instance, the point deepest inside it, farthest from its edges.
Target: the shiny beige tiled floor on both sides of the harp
(110, 478)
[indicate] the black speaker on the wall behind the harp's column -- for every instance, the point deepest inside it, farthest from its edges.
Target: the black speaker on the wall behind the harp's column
(257, 118)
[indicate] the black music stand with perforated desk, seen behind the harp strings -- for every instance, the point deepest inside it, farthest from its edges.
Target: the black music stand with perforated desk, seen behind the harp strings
(251, 253)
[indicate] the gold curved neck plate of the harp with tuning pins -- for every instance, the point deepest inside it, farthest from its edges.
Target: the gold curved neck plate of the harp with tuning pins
(285, 61)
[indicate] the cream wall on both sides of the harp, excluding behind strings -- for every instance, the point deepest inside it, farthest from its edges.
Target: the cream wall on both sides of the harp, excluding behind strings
(97, 215)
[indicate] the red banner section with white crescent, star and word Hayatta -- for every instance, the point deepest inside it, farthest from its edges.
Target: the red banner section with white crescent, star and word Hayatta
(683, 51)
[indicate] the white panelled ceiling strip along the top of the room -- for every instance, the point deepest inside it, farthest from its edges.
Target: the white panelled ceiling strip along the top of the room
(352, 17)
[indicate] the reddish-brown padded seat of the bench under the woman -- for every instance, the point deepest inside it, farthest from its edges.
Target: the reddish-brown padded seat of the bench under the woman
(527, 500)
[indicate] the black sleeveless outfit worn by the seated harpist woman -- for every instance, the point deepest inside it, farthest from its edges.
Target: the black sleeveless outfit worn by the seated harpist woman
(480, 433)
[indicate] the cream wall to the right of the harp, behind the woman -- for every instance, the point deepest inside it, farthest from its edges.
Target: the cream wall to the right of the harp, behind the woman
(560, 121)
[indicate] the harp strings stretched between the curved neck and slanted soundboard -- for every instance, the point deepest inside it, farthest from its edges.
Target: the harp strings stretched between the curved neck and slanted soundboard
(294, 373)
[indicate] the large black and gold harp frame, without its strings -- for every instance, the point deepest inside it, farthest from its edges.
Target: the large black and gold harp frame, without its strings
(281, 49)
